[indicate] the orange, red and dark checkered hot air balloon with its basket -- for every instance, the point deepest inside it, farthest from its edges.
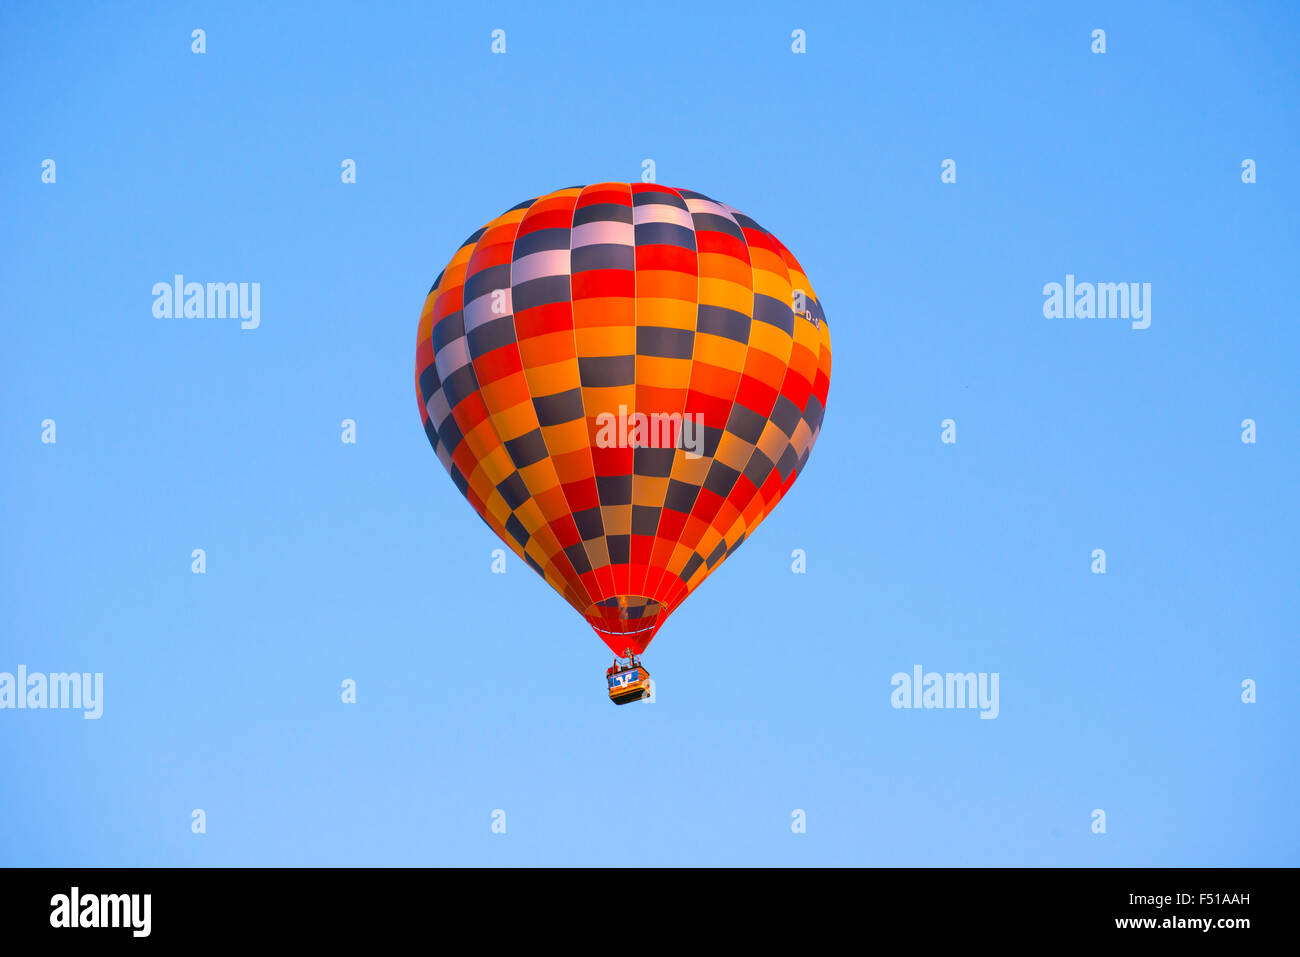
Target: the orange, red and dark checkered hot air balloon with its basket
(623, 380)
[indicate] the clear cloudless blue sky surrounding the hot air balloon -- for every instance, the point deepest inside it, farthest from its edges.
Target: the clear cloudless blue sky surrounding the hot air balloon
(476, 692)
